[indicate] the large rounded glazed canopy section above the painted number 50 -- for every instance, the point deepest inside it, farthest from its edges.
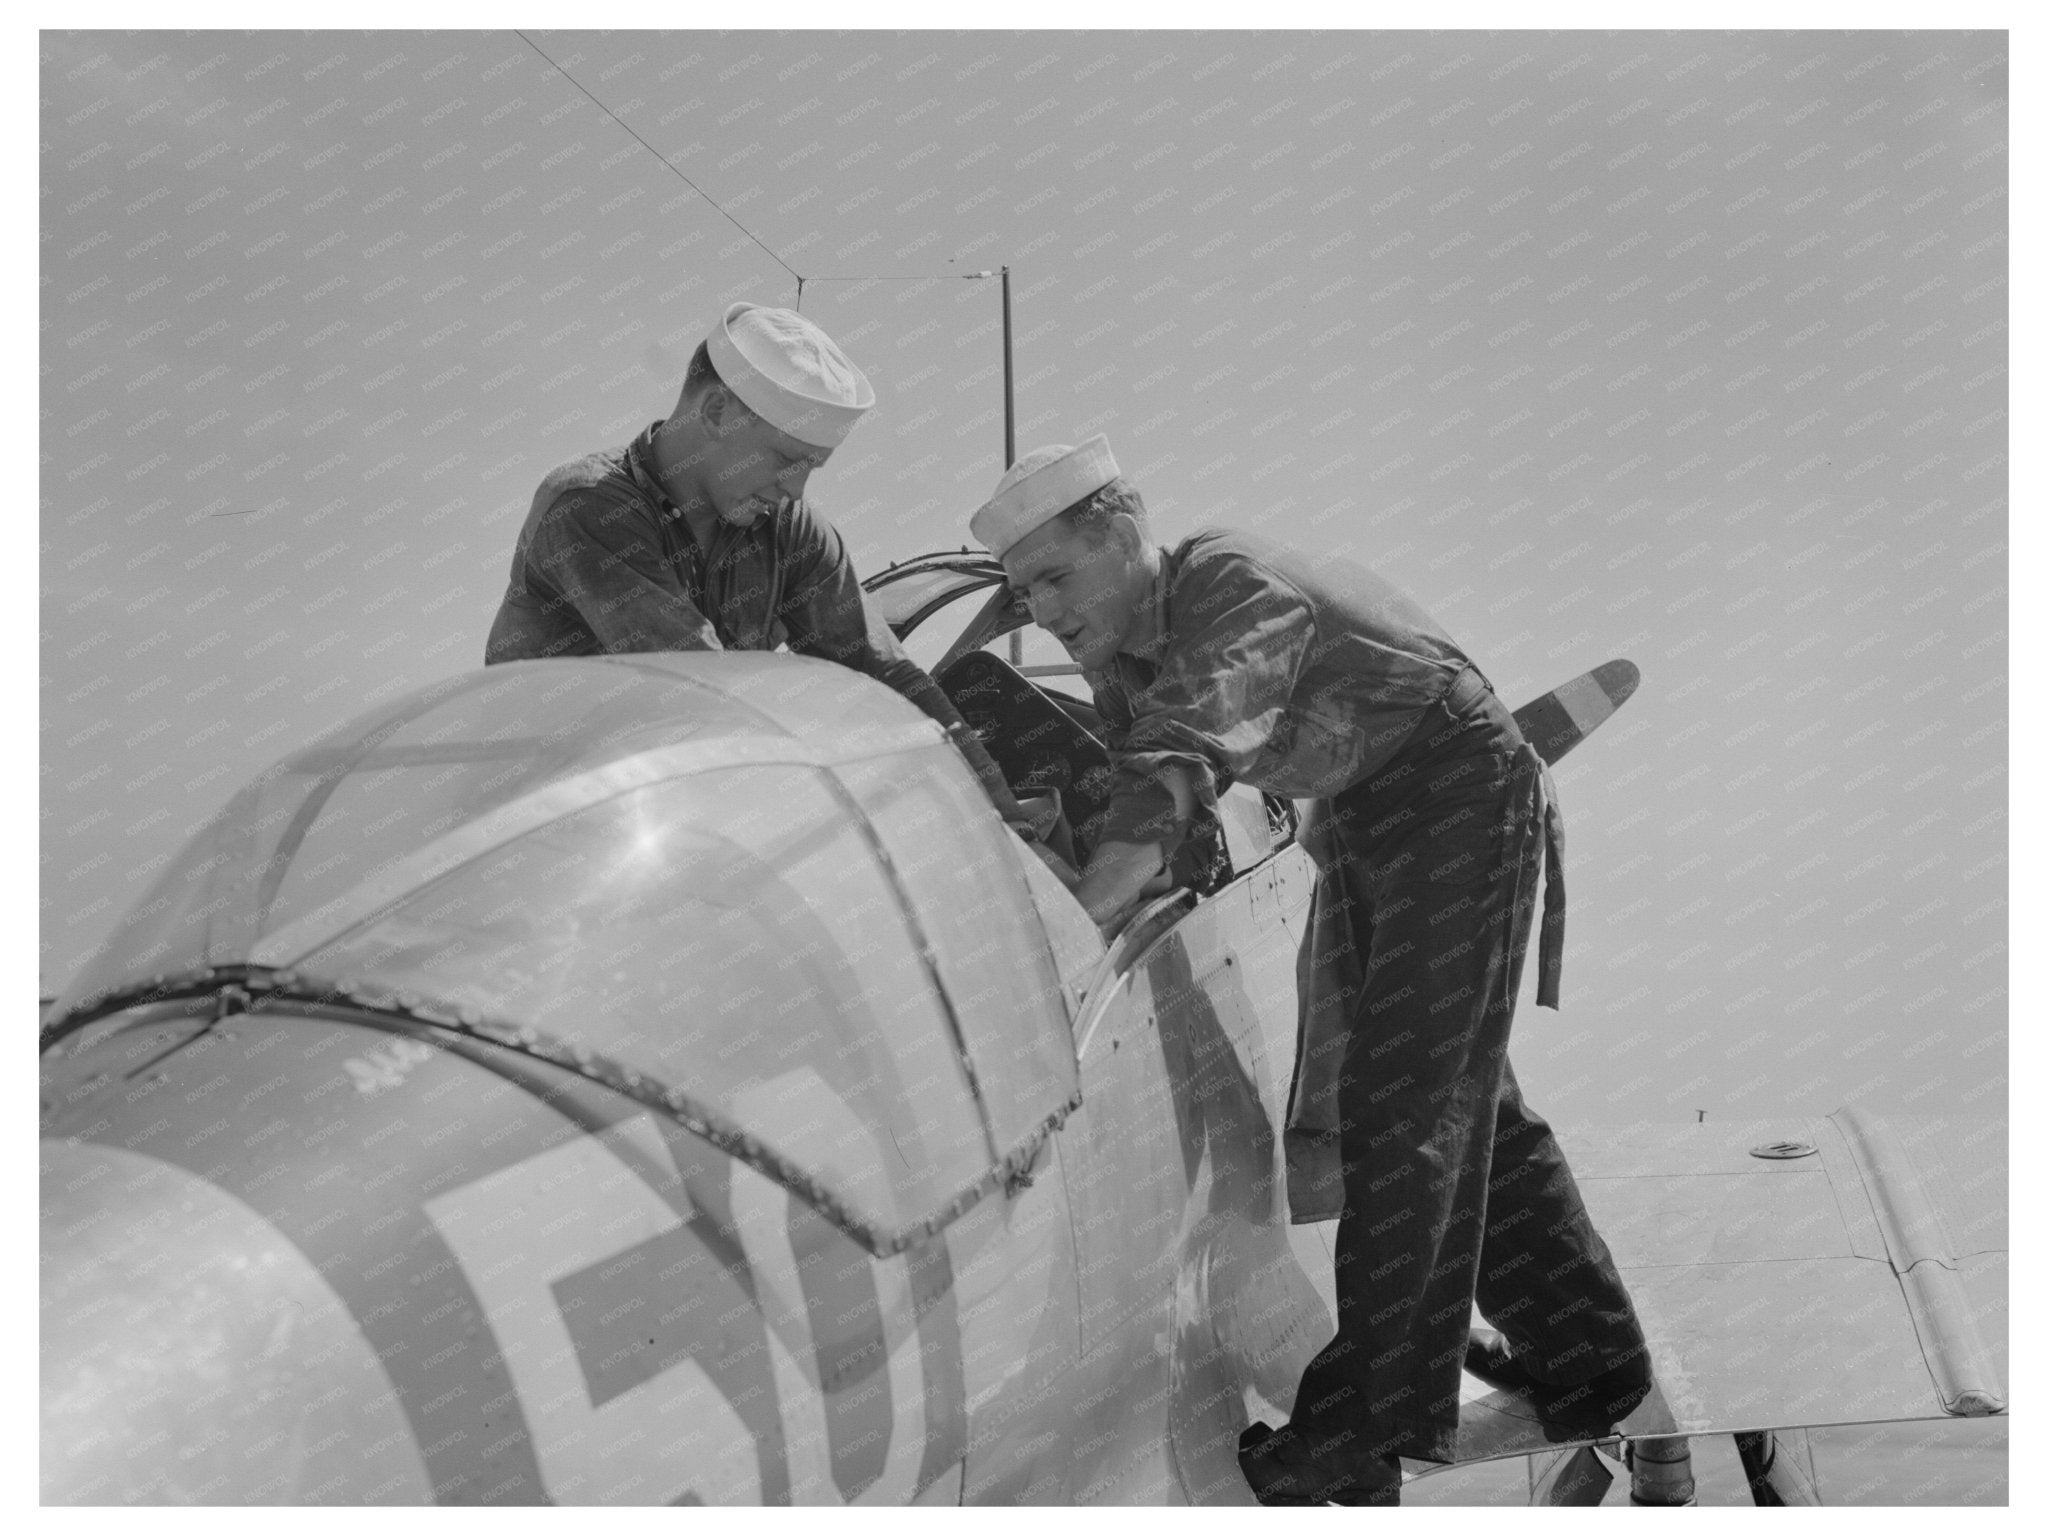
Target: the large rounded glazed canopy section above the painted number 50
(761, 882)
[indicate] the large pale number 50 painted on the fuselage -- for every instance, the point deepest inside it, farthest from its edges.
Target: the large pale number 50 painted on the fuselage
(667, 1357)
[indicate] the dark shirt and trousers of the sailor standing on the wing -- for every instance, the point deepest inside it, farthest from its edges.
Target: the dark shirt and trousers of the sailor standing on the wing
(1314, 677)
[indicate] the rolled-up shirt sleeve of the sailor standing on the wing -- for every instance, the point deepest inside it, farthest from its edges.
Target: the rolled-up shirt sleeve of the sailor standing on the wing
(1240, 640)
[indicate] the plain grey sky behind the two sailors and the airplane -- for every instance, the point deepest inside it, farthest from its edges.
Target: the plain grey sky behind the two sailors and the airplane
(1680, 347)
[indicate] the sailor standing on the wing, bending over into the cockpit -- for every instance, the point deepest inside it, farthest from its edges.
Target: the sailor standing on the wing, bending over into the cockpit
(1236, 658)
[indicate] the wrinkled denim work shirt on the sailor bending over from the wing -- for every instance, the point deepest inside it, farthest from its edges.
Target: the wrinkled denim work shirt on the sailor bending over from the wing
(1256, 663)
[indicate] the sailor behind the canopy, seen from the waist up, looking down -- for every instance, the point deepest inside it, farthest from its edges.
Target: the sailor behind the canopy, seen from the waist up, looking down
(695, 538)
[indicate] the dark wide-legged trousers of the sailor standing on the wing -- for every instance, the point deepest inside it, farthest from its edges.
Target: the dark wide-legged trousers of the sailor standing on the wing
(1453, 1189)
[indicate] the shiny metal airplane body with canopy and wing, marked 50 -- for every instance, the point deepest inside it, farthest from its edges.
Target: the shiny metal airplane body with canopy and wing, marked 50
(626, 1177)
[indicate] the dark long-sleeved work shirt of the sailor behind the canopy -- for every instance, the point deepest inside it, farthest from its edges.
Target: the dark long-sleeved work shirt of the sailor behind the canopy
(607, 564)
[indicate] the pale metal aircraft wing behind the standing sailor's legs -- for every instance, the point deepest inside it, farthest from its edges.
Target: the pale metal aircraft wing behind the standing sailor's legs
(1854, 1283)
